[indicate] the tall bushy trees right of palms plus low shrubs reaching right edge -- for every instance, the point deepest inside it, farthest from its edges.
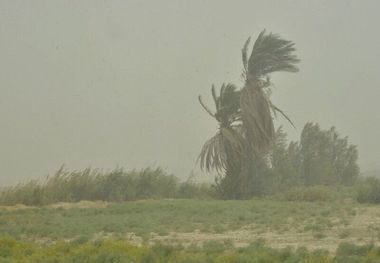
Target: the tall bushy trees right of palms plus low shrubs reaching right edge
(319, 166)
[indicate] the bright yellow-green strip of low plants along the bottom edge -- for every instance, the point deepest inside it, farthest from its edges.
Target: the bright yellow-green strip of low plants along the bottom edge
(118, 251)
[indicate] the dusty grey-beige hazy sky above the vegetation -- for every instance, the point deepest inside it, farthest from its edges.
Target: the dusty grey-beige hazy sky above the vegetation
(107, 83)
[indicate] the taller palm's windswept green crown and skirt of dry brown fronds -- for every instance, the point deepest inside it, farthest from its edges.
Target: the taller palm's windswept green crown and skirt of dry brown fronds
(270, 54)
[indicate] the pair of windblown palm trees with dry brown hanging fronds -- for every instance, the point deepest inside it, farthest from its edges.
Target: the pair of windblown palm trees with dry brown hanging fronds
(245, 117)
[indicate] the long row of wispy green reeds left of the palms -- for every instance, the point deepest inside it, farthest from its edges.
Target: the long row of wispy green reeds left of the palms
(114, 186)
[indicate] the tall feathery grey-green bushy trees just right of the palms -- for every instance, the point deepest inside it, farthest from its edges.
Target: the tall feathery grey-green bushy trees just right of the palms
(321, 157)
